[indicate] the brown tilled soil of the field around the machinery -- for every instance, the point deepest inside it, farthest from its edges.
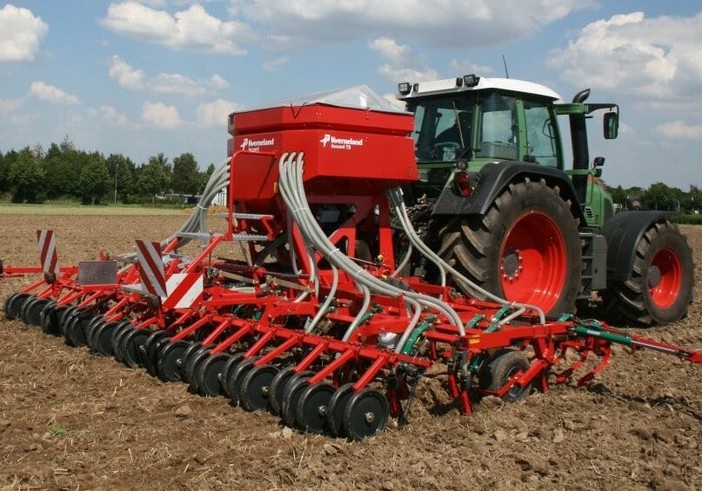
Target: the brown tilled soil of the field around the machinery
(72, 420)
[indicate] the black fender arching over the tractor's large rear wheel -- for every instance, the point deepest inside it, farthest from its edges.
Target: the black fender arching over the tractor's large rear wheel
(494, 178)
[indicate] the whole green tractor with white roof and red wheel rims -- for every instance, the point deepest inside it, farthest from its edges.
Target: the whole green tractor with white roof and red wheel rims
(497, 203)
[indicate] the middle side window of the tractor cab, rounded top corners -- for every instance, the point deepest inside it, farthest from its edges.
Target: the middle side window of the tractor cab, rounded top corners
(498, 133)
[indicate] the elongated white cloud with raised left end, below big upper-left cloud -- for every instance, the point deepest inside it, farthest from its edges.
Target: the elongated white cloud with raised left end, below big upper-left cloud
(131, 78)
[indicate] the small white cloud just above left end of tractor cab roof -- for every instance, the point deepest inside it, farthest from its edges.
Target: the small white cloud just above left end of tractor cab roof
(402, 64)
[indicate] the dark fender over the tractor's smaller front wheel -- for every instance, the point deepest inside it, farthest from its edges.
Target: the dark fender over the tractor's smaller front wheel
(623, 232)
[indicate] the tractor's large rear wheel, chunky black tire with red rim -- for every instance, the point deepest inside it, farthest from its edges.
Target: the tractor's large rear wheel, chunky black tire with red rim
(526, 248)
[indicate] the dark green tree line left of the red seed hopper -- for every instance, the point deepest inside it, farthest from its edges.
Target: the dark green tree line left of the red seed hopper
(62, 172)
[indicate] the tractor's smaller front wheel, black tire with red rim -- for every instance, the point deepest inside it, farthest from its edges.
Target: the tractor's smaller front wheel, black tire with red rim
(661, 281)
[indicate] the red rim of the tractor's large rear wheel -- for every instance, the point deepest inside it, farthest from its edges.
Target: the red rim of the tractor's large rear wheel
(534, 261)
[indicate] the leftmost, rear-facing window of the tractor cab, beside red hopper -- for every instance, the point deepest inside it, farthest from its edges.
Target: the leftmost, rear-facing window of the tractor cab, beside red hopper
(442, 127)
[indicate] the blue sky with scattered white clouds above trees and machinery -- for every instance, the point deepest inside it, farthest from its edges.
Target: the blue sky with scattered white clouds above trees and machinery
(144, 77)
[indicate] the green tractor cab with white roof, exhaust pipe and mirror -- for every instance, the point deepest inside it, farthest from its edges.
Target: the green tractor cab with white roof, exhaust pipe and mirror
(463, 124)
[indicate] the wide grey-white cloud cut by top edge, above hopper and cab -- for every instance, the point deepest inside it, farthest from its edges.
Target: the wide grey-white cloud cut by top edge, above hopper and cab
(448, 23)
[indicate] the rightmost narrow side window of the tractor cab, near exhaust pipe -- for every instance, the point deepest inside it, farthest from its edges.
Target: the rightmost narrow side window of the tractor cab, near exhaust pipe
(541, 136)
